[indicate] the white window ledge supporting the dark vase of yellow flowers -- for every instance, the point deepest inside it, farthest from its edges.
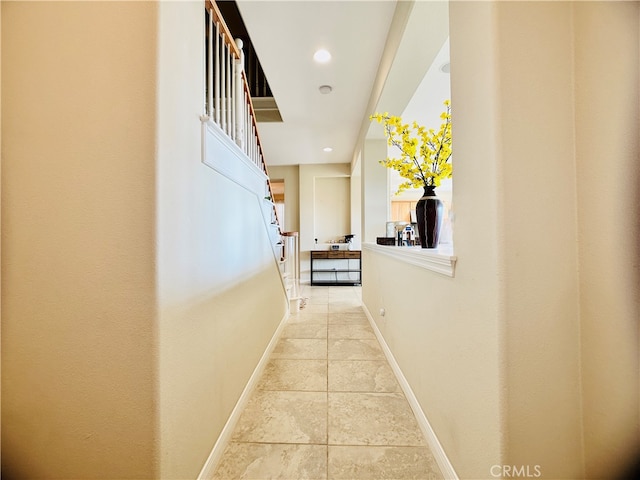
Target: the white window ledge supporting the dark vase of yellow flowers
(440, 260)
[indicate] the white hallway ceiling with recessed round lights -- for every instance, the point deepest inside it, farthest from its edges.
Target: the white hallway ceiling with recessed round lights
(381, 51)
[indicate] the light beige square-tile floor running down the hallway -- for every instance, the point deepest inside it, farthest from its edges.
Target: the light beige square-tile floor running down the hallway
(328, 405)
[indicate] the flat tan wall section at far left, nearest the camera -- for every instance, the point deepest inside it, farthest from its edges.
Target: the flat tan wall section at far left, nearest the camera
(78, 158)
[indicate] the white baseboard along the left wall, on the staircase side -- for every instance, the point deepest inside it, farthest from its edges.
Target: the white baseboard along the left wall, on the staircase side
(210, 465)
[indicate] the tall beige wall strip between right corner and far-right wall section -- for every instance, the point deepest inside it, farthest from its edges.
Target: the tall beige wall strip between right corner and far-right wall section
(539, 255)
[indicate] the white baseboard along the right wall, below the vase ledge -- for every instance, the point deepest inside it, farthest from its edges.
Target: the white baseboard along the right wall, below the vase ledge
(432, 440)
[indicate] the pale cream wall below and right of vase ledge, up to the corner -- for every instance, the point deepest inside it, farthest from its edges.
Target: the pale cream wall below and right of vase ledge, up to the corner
(446, 333)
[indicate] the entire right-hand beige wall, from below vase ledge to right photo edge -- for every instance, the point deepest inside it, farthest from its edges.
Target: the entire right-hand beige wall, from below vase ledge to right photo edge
(529, 356)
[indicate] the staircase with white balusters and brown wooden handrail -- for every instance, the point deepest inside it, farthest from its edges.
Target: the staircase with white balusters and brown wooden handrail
(230, 113)
